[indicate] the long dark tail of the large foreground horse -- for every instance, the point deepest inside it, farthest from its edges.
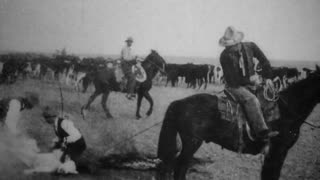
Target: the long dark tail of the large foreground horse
(167, 146)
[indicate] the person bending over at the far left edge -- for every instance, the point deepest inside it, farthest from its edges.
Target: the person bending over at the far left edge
(11, 108)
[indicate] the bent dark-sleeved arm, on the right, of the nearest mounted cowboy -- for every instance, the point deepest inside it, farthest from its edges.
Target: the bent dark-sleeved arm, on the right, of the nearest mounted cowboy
(265, 64)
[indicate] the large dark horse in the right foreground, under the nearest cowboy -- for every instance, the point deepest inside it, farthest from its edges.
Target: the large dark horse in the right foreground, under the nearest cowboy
(196, 119)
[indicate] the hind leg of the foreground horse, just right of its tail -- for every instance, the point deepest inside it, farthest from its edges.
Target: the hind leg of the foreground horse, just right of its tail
(189, 147)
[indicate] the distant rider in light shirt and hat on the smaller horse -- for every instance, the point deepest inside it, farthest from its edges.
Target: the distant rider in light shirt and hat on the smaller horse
(128, 60)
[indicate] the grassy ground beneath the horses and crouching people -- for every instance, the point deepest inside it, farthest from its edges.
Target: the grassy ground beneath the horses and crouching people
(303, 161)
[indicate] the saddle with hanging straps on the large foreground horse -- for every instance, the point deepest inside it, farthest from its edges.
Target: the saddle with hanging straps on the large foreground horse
(231, 110)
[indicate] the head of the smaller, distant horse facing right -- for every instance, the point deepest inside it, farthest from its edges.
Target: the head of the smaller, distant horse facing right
(155, 61)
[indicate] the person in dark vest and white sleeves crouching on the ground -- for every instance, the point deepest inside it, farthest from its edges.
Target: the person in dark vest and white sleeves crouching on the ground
(69, 138)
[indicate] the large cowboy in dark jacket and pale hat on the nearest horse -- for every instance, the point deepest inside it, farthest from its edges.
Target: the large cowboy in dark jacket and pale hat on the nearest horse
(238, 67)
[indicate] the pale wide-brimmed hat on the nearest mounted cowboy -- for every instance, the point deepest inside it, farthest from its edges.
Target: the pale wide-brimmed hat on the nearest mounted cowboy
(231, 37)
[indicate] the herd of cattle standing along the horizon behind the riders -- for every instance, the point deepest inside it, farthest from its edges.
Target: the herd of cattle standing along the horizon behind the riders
(72, 69)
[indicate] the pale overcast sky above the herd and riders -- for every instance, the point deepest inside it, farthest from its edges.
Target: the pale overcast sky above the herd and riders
(284, 29)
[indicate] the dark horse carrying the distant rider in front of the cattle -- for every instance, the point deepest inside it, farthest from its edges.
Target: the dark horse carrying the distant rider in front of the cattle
(105, 81)
